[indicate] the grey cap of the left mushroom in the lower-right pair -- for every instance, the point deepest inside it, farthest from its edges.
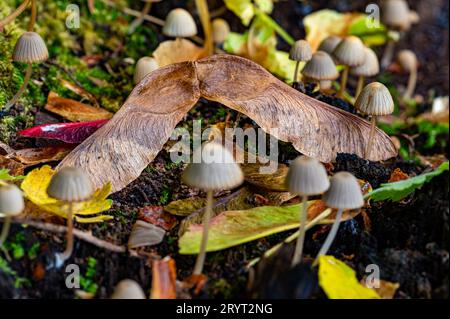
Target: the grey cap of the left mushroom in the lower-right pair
(307, 176)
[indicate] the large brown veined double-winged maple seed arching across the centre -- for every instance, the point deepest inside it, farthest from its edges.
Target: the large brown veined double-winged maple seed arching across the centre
(121, 149)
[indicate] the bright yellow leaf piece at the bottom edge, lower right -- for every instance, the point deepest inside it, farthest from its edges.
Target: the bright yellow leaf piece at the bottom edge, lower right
(339, 281)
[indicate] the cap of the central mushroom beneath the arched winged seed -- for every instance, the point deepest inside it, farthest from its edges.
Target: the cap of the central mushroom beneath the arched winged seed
(213, 168)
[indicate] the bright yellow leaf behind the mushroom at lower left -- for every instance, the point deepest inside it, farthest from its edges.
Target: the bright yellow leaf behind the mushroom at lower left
(35, 186)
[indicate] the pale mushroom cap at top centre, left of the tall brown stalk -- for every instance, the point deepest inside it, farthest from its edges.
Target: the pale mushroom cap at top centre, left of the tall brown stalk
(180, 24)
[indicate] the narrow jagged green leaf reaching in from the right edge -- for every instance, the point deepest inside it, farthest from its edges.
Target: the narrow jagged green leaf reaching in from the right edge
(399, 190)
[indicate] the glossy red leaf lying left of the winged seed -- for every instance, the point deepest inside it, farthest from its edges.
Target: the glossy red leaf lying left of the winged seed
(66, 132)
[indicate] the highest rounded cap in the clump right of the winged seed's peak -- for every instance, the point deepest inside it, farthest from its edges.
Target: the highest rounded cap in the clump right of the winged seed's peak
(350, 51)
